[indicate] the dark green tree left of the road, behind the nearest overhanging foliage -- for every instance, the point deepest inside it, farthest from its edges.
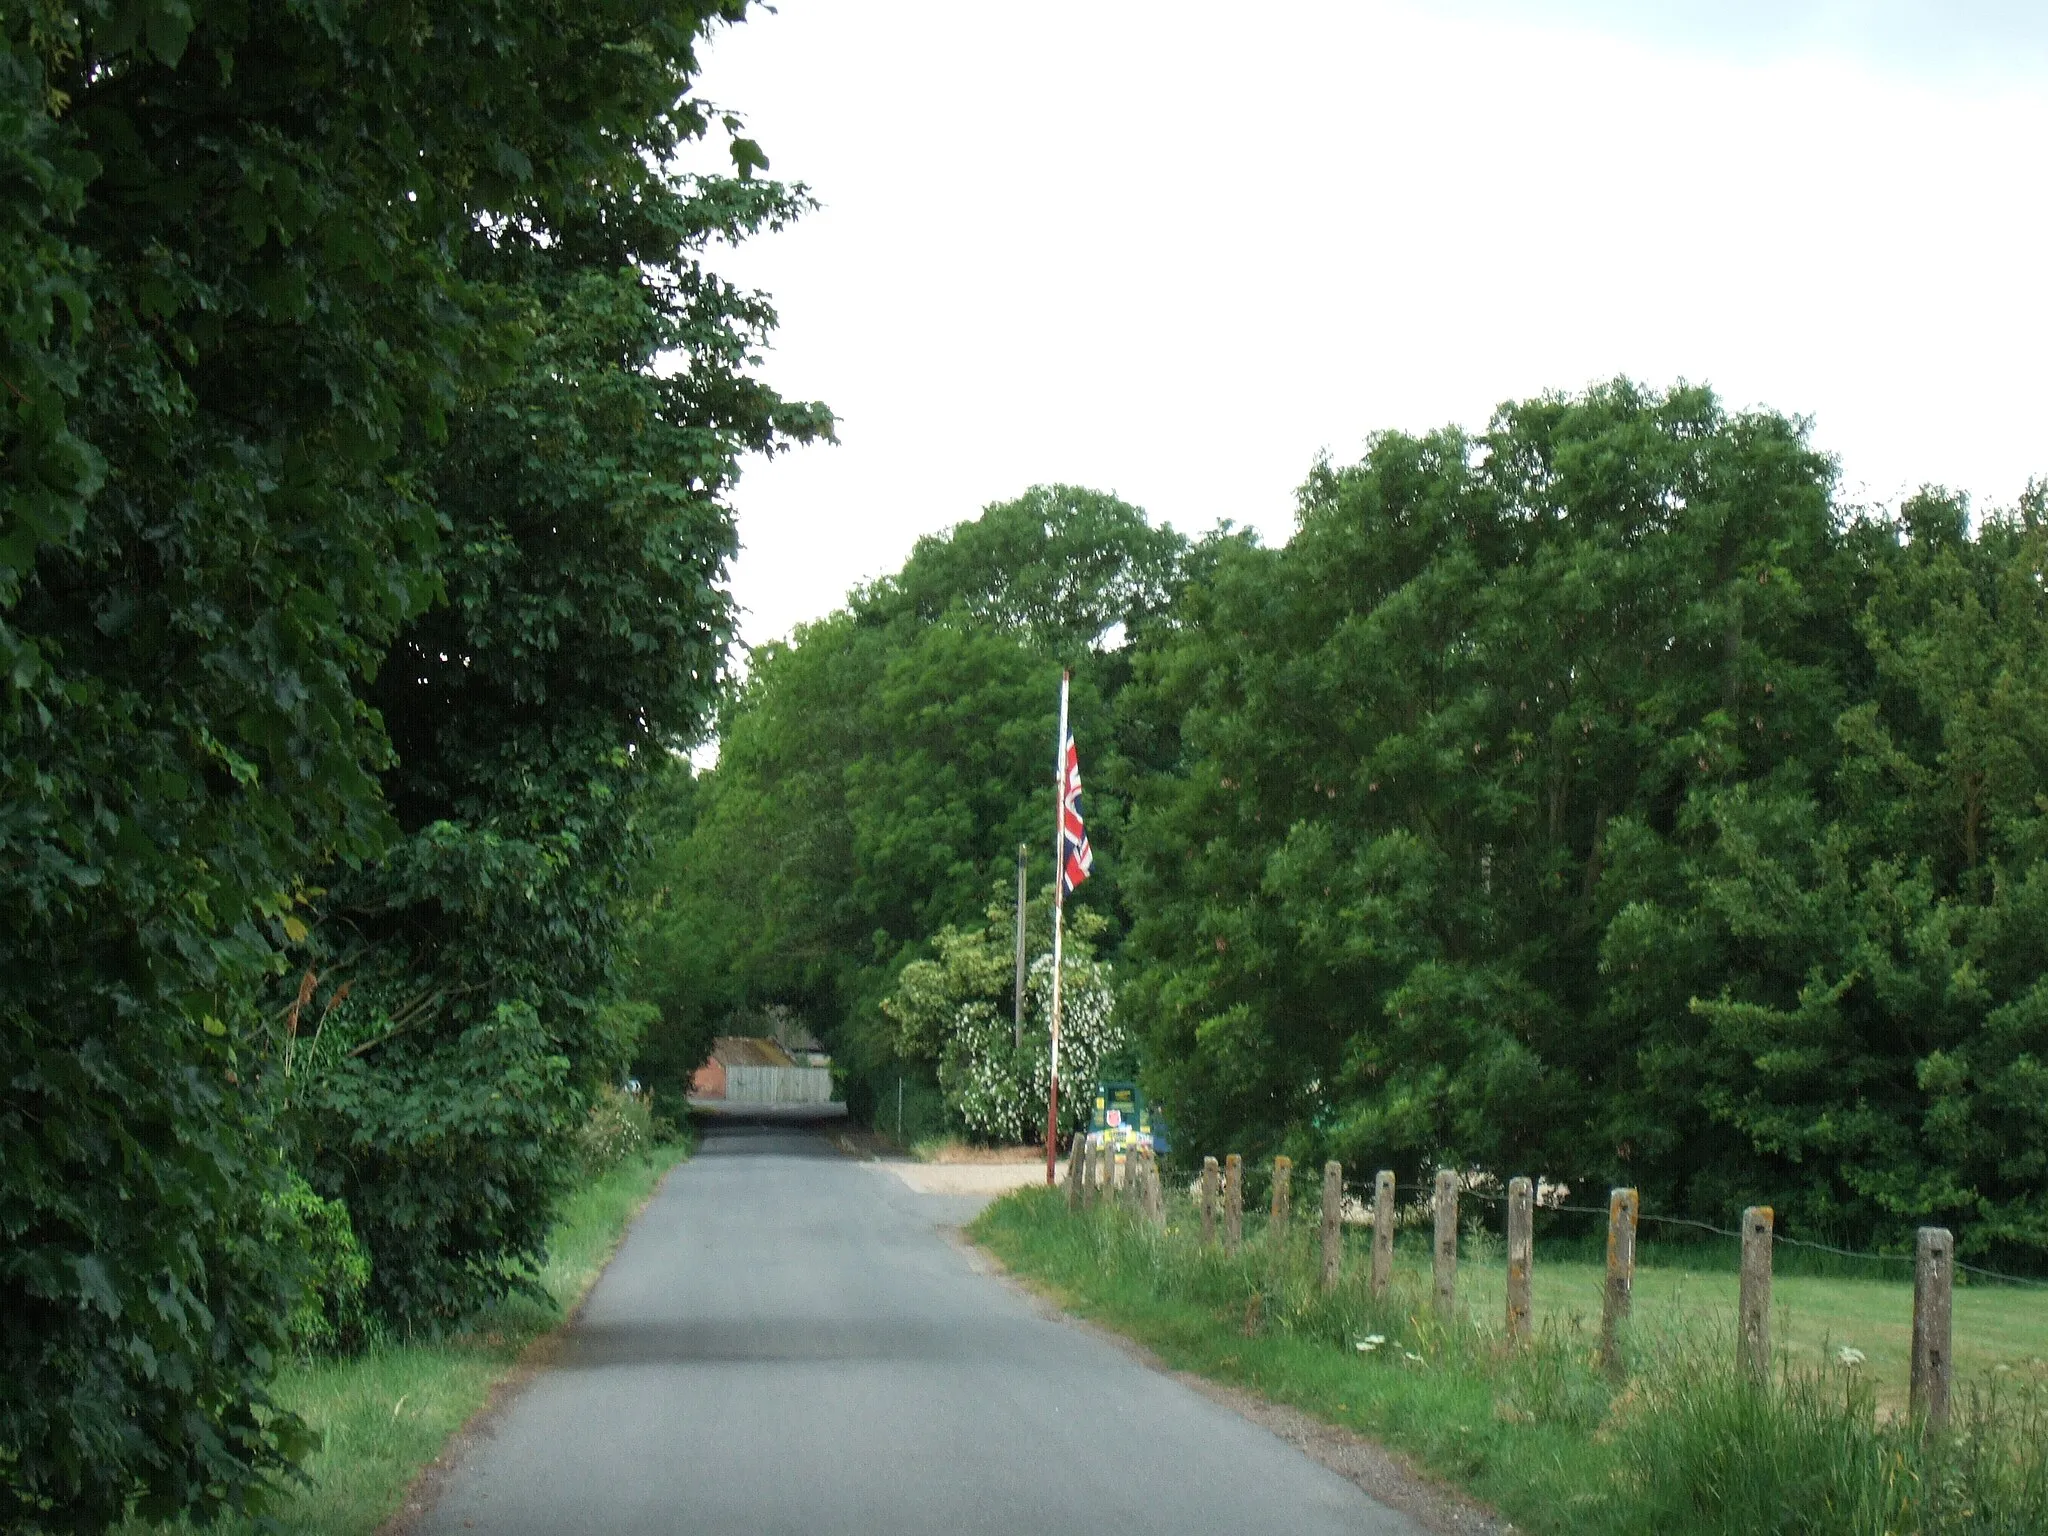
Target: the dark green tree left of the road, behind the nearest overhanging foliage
(577, 654)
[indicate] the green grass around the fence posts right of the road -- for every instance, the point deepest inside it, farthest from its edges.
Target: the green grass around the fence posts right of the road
(1682, 1447)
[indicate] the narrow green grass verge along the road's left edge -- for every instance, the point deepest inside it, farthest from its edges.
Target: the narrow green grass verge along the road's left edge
(388, 1412)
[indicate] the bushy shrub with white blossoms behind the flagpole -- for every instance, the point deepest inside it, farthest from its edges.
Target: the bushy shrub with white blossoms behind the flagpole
(957, 1011)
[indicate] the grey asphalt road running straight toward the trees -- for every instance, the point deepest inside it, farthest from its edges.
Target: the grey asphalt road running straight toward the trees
(790, 1342)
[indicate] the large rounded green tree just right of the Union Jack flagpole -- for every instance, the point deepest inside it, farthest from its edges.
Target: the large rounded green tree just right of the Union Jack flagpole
(1371, 894)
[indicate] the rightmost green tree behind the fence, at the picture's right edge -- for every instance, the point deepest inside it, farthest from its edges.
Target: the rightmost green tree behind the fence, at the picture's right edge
(1848, 970)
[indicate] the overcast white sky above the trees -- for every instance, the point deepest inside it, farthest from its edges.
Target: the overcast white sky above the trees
(1175, 251)
